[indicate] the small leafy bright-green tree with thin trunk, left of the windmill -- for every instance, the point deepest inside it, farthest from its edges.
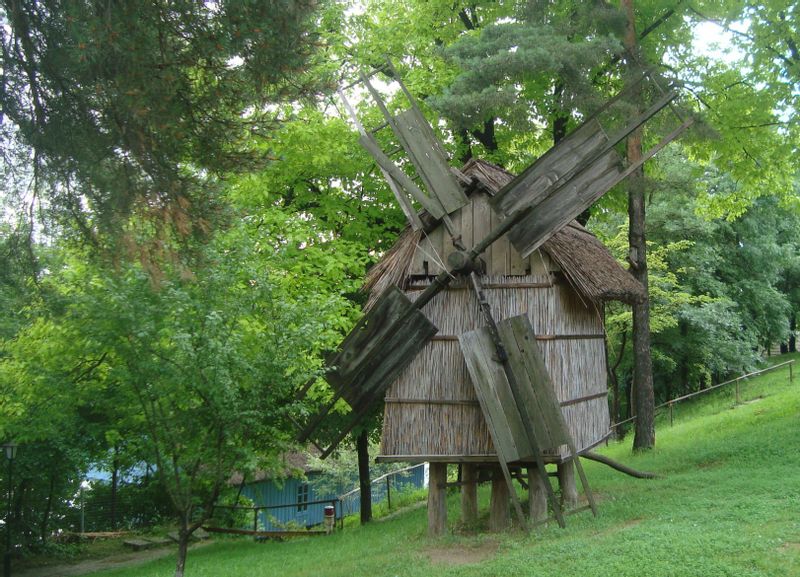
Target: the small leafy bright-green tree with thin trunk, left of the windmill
(201, 367)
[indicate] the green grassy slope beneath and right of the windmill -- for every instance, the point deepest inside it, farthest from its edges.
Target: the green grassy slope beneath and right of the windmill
(728, 503)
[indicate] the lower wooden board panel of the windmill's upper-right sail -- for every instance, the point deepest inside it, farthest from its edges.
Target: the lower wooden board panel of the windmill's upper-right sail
(565, 203)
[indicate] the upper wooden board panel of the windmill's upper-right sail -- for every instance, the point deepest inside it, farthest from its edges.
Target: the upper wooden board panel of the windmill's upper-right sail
(549, 171)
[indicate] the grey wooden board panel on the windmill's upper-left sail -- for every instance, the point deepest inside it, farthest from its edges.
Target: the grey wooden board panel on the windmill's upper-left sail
(418, 139)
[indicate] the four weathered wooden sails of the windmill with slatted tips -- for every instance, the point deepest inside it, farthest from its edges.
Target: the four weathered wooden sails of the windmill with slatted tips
(505, 365)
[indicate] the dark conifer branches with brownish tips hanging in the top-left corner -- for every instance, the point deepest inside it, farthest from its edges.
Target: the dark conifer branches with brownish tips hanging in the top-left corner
(140, 108)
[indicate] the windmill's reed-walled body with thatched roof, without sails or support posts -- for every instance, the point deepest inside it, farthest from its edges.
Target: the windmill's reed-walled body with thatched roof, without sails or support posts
(432, 412)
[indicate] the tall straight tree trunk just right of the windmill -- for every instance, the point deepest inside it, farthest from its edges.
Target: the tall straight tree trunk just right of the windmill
(645, 434)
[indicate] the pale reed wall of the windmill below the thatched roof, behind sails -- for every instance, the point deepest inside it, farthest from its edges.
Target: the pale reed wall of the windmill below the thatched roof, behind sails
(456, 430)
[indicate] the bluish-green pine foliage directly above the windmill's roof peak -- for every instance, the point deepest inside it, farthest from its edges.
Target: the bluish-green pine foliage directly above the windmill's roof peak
(510, 69)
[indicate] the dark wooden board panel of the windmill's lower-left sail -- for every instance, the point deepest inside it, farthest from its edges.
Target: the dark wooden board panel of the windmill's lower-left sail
(378, 348)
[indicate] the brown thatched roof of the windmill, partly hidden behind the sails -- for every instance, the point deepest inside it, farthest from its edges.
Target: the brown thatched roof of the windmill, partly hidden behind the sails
(586, 263)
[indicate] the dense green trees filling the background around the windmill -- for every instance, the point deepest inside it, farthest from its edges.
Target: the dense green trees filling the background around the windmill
(187, 216)
